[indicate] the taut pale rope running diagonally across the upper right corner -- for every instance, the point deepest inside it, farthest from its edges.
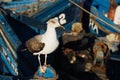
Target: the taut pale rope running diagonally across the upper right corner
(94, 15)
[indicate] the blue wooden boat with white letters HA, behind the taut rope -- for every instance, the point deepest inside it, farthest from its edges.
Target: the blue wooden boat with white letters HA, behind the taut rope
(100, 24)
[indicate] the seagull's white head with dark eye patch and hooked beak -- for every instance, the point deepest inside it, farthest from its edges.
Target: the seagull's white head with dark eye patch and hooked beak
(54, 23)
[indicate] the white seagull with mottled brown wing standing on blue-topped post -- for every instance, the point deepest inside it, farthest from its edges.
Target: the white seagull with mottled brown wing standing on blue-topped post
(47, 42)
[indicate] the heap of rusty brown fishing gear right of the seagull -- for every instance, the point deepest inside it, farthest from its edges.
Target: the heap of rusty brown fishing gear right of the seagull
(92, 49)
